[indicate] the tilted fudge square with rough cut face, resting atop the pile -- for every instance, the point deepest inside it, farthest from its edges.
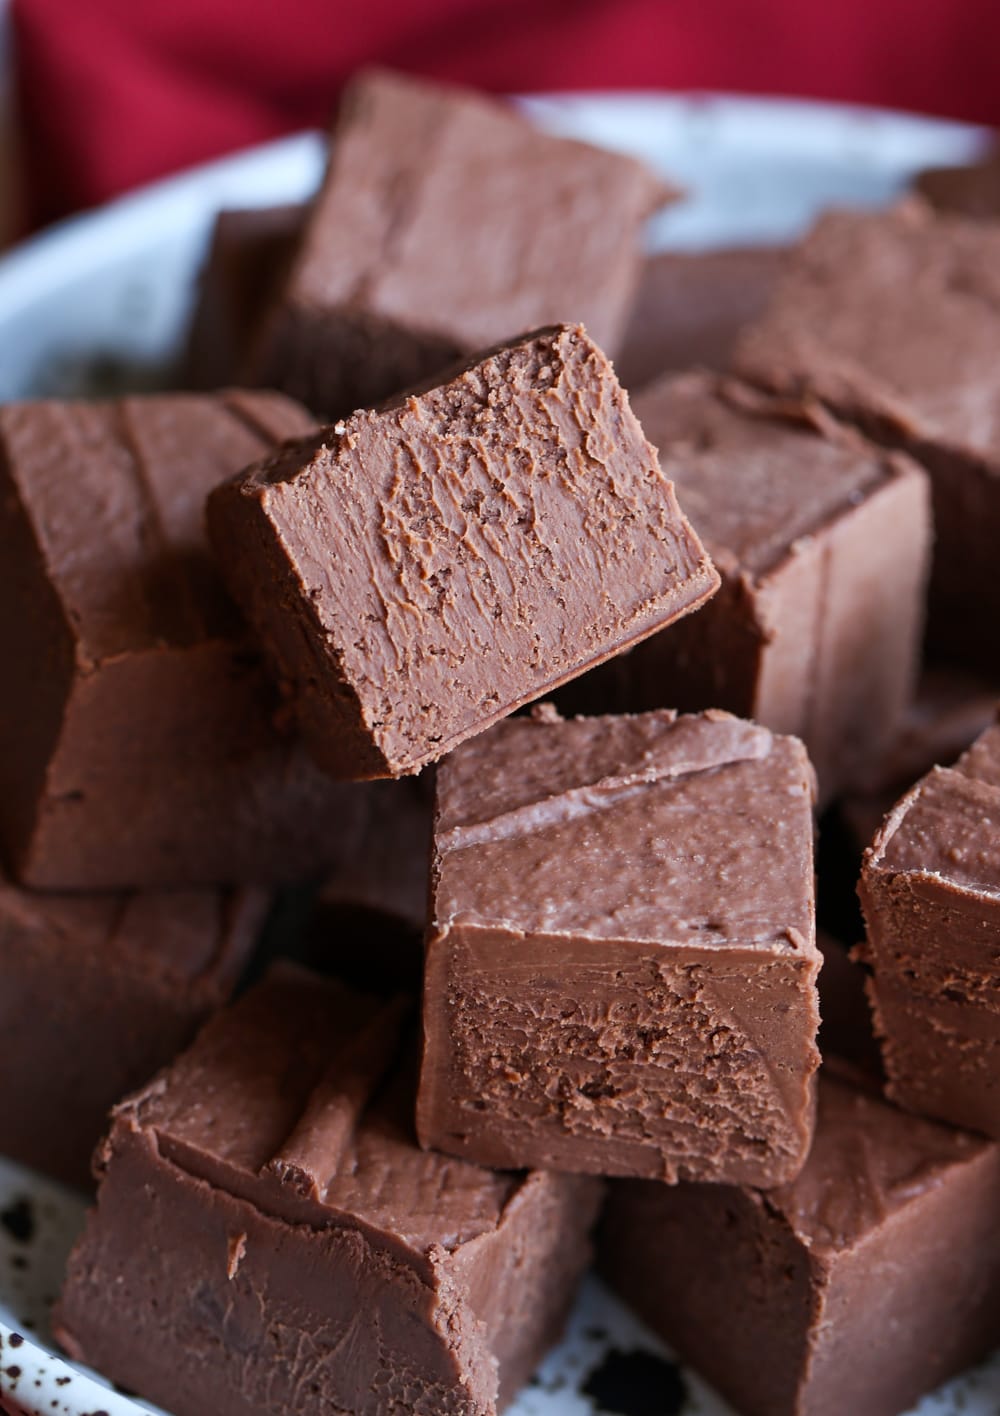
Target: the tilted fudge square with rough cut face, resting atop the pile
(421, 571)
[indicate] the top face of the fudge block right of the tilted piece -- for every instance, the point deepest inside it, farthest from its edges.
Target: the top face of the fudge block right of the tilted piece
(757, 474)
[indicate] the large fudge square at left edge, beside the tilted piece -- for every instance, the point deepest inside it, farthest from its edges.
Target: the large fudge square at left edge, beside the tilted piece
(141, 741)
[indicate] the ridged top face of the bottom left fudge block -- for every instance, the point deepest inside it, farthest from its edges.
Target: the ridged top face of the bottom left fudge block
(300, 1100)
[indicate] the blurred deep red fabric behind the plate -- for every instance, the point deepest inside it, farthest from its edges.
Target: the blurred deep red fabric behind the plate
(115, 93)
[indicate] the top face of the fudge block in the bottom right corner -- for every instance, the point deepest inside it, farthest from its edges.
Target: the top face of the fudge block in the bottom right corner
(869, 1160)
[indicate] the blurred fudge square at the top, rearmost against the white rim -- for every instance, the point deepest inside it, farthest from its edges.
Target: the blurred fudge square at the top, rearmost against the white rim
(447, 223)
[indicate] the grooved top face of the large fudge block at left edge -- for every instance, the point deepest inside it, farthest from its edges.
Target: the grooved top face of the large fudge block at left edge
(114, 495)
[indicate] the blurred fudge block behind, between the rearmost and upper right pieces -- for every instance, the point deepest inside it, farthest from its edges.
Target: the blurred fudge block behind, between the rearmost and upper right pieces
(691, 308)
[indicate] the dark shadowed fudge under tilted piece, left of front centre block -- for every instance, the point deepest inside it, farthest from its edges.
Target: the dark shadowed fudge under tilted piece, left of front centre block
(380, 893)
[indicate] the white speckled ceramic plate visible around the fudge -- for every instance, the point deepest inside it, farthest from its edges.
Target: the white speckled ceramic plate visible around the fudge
(101, 304)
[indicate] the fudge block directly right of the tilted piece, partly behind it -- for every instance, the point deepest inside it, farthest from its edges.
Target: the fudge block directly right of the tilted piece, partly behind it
(822, 543)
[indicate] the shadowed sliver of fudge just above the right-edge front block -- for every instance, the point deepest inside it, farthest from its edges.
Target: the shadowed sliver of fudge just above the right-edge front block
(947, 714)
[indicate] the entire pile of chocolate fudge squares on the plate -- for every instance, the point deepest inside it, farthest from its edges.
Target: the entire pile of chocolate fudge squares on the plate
(542, 690)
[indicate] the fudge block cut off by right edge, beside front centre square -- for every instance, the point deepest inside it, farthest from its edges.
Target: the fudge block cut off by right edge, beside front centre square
(931, 897)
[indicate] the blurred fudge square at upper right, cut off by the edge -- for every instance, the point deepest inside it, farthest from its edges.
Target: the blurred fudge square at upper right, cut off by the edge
(893, 321)
